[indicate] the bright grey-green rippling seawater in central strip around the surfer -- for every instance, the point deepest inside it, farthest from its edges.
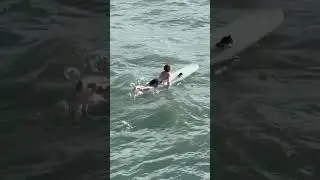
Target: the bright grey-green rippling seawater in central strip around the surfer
(164, 135)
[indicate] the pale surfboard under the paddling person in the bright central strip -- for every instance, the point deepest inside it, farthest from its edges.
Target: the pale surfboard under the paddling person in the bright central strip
(177, 76)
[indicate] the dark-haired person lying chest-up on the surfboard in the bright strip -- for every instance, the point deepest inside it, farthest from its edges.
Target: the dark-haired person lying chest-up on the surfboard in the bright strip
(164, 78)
